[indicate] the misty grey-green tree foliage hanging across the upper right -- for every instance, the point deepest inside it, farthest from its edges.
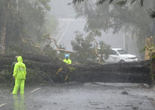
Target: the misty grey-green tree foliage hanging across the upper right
(120, 15)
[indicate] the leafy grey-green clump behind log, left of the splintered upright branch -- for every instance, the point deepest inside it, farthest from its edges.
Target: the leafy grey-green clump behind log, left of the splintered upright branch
(83, 47)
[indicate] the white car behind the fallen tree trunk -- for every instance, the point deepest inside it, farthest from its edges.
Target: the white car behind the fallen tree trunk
(119, 55)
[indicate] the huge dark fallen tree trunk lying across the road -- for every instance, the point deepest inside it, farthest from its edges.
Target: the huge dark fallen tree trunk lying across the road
(42, 69)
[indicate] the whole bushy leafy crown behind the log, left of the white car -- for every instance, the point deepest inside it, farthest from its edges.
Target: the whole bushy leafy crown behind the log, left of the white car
(87, 49)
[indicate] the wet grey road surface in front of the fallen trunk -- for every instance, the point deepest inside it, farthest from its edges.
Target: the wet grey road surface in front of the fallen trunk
(88, 96)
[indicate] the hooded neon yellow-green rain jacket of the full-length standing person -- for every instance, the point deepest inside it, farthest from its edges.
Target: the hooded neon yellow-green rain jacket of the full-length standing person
(19, 69)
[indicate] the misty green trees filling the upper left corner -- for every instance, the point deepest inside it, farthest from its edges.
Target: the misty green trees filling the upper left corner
(26, 22)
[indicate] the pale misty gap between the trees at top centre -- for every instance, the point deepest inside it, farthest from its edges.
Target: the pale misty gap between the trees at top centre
(68, 22)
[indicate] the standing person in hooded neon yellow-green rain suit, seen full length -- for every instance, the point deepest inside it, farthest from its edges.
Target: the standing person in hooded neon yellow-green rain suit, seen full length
(19, 74)
